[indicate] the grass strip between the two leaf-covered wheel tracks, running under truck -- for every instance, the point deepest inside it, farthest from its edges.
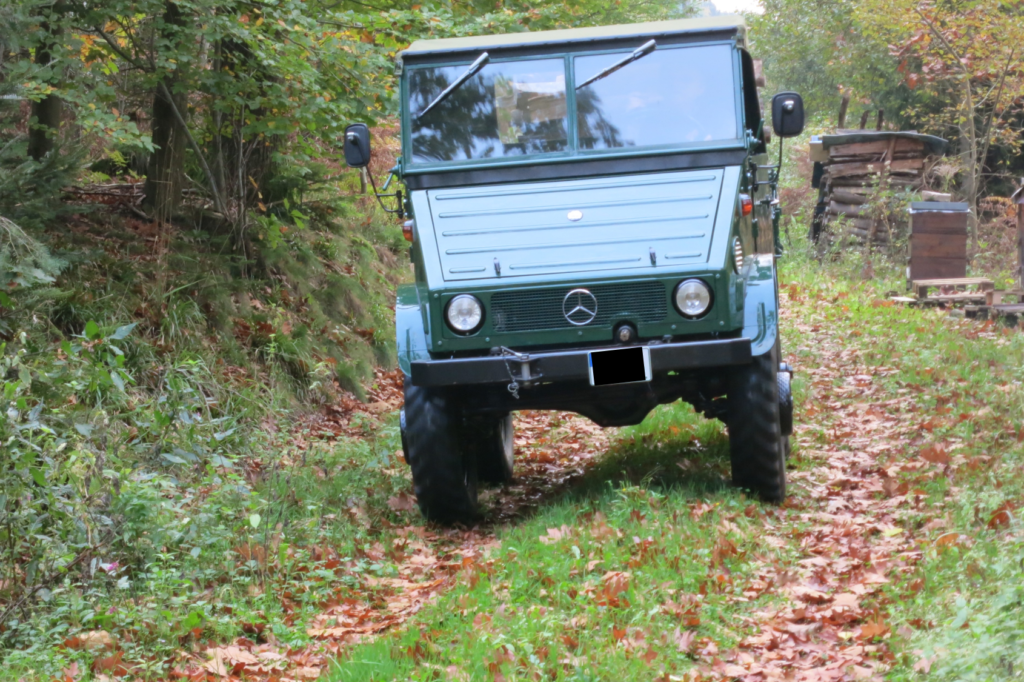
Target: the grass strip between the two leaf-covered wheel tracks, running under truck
(659, 508)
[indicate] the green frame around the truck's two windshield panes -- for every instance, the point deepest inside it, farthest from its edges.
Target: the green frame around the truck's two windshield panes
(574, 152)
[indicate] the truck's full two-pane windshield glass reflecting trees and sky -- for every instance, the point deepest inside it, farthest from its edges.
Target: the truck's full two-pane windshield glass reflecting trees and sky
(672, 97)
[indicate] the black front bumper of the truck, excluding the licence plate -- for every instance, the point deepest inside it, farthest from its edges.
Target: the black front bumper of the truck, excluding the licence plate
(573, 366)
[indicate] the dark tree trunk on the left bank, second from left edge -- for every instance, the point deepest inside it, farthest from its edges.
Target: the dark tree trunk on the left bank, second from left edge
(165, 177)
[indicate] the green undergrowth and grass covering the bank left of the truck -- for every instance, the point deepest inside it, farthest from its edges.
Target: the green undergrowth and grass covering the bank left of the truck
(165, 415)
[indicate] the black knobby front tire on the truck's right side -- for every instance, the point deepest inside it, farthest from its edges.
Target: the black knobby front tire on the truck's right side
(757, 447)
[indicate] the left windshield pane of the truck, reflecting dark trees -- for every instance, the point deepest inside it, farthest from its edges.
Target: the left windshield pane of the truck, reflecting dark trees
(507, 110)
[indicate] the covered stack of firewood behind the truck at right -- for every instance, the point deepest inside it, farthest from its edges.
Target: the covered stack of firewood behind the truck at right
(858, 170)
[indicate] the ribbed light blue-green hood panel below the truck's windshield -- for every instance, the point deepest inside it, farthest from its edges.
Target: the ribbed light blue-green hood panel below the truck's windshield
(661, 221)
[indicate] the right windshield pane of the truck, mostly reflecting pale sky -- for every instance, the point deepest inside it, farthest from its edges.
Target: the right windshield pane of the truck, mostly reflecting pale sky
(669, 98)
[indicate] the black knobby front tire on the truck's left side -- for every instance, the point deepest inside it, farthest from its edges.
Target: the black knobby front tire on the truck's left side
(444, 474)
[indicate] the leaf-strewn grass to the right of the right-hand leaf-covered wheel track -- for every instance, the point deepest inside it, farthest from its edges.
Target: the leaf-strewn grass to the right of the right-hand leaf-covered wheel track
(961, 385)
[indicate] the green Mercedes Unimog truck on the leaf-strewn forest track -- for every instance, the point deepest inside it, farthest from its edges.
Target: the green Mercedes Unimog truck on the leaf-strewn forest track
(594, 229)
